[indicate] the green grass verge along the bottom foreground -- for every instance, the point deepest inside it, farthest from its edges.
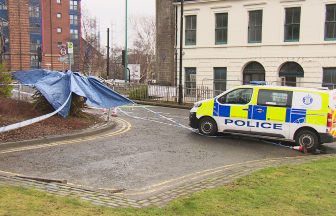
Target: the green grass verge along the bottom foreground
(308, 189)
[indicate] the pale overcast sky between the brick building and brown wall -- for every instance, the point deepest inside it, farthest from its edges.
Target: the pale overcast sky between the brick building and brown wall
(111, 14)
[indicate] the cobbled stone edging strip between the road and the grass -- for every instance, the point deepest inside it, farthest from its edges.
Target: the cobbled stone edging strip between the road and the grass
(160, 199)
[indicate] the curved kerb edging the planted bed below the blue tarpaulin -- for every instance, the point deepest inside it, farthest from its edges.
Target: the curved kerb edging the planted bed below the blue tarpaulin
(84, 133)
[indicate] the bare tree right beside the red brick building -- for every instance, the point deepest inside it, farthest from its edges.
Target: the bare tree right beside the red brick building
(92, 56)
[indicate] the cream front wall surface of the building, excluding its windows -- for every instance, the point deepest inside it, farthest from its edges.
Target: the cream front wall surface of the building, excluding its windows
(312, 52)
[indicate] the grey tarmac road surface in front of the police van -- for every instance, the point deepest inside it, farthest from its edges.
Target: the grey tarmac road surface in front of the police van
(150, 153)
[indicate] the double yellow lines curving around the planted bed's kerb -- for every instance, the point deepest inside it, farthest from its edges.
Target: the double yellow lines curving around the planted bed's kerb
(126, 126)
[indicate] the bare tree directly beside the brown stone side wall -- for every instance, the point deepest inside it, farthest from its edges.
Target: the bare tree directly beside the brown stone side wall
(143, 52)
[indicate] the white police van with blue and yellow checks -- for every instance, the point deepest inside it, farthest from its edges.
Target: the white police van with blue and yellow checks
(302, 115)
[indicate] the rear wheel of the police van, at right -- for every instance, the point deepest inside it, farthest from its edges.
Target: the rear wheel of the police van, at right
(308, 139)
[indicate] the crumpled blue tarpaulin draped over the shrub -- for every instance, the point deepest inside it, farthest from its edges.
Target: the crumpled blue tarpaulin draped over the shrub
(57, 86)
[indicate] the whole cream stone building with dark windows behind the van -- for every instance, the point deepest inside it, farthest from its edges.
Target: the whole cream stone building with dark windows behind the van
(289, 42)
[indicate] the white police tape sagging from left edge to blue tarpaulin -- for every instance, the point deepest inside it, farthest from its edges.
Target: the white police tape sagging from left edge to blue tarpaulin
(34, 120)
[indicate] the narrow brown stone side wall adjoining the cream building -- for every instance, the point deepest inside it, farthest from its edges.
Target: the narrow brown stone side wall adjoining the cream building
(165, 42)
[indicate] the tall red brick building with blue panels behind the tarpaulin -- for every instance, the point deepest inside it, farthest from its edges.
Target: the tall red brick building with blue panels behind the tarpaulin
(30, 25)
